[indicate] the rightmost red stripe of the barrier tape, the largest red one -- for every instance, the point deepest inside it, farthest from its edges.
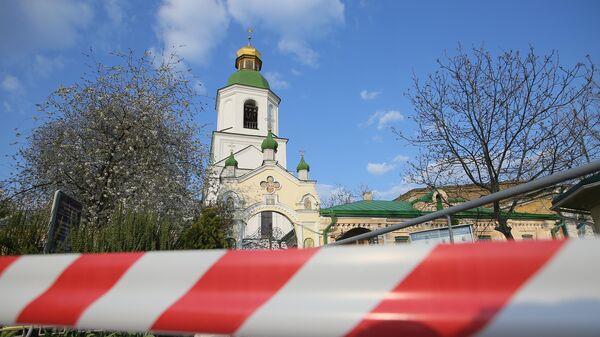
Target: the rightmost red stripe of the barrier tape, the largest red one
(455, 290)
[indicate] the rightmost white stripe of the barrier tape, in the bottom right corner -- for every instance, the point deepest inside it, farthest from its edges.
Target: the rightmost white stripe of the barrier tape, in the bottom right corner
(562, 299)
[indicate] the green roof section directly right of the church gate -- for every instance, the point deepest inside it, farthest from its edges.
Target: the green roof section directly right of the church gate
(377, 208)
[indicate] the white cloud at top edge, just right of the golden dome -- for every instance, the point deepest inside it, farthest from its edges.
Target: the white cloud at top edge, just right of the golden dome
(295, 22)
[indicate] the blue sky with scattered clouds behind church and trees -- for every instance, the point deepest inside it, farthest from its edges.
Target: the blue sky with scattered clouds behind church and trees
(341, 68)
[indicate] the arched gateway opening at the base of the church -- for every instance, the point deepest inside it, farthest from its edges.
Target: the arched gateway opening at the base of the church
(269, 230)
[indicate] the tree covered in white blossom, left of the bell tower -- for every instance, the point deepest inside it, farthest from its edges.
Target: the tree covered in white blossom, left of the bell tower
(122, 137)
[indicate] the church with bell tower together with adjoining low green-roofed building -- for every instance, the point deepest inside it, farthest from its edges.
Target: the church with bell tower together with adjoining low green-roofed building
(277, 208)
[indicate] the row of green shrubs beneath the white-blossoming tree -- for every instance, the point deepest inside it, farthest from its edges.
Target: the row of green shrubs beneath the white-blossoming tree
(24, 232)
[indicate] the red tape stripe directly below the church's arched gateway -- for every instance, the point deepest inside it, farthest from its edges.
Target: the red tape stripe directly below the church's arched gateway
(231, 290)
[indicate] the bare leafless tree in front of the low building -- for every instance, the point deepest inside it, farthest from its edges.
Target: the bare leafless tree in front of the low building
(487, 120)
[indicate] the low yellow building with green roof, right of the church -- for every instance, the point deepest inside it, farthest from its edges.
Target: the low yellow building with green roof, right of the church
(531, 220)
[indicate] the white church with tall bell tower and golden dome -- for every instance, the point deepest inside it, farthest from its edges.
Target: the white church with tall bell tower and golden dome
(274, 207)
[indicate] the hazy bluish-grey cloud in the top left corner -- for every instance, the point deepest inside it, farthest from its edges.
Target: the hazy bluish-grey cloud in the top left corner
(39, 24)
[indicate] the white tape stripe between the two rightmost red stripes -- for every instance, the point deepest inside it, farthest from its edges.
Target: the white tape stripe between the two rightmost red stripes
(312, 297)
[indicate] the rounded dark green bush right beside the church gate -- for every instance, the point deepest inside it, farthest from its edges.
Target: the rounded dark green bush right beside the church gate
(209, 231)
